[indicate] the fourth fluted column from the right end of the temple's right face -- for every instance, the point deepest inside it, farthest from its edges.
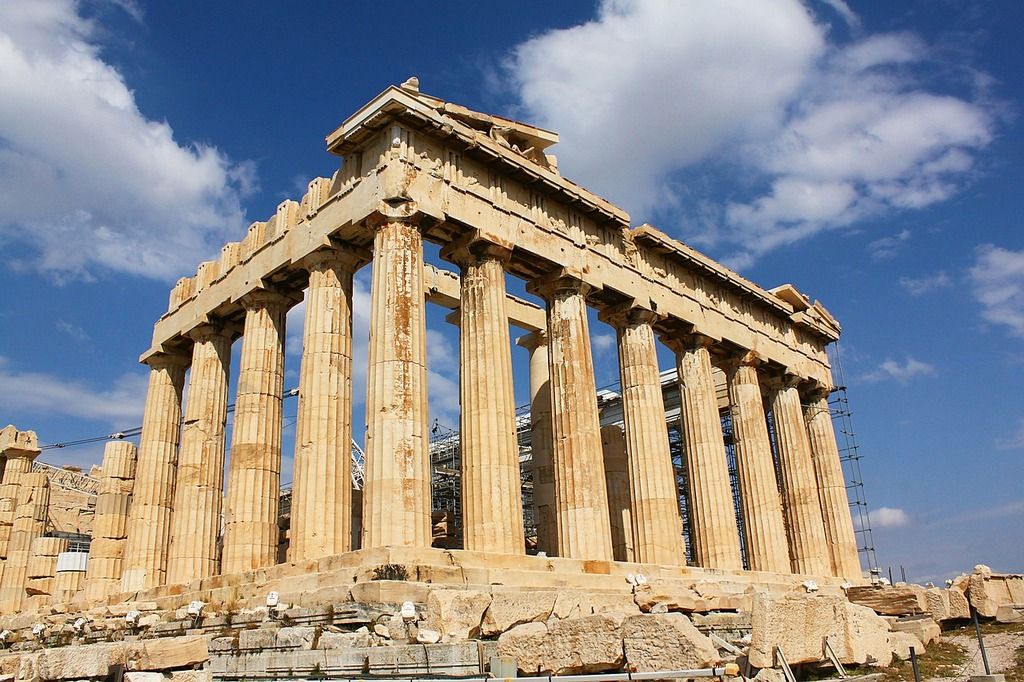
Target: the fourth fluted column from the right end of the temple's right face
(713, 519)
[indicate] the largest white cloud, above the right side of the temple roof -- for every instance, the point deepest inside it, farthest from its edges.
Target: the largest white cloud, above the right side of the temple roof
(815, 136)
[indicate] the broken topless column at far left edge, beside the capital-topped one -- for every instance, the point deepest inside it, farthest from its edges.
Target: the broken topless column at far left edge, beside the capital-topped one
(30, 523)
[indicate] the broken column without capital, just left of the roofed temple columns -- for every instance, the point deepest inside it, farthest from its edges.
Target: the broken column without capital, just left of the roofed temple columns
(110, 527)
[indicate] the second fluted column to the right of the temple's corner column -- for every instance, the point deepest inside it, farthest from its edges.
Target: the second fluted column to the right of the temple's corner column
(581, 497)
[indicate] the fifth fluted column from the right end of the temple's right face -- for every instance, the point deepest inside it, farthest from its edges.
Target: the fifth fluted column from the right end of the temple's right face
(658, 529)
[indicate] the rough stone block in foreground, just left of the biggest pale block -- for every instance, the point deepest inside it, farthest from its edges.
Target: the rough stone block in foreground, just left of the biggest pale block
(669, 642)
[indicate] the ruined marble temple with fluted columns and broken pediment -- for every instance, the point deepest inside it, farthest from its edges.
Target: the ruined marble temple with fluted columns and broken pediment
(415, 168)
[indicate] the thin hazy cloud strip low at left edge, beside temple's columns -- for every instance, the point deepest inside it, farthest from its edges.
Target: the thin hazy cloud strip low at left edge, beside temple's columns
(45, 395)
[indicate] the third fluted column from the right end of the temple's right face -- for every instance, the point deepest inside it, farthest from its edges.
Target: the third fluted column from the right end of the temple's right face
(765, 531)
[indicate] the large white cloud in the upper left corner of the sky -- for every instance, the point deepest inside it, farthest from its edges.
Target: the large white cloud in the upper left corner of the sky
(90, 182)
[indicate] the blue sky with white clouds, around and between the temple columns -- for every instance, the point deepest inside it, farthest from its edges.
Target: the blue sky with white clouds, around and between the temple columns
(870, 153)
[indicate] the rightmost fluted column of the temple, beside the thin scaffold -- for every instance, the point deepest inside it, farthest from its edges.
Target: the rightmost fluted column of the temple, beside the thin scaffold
(832, 488)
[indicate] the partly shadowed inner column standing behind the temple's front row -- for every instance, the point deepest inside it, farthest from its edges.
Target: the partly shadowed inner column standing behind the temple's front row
(541, 441)
